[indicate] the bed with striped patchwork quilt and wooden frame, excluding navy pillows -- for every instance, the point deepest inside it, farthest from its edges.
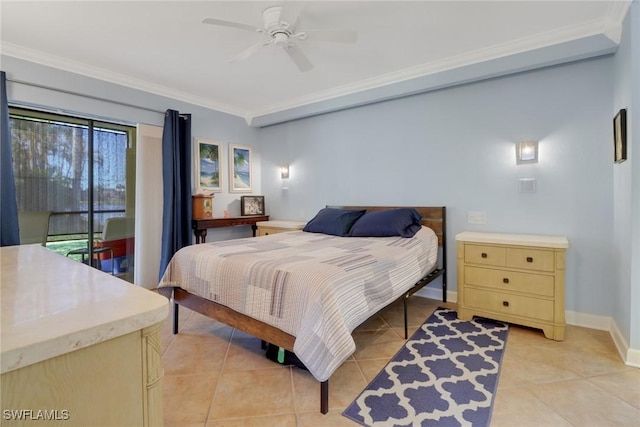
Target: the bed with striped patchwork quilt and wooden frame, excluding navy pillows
(305, 292)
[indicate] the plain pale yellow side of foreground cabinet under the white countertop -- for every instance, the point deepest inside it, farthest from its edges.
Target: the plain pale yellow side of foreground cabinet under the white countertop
(99, 385)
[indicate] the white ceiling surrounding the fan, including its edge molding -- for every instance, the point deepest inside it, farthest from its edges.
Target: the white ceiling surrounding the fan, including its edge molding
(403, 47)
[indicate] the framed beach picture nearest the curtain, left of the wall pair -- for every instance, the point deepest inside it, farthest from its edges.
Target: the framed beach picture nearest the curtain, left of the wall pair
(207, 164)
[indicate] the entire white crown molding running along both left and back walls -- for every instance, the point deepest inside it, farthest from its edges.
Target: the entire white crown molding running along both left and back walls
(552, 47)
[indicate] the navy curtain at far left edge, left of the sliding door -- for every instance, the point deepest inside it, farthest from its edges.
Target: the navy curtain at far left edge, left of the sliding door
(8, 202)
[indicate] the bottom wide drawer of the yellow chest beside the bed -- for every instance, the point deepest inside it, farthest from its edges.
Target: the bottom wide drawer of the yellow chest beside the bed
(504, 303)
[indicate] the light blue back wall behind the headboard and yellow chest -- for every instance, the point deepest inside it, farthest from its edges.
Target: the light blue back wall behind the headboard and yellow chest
(455, 147)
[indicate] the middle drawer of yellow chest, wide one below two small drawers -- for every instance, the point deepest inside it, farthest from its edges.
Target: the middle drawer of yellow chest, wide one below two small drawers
(537, 284)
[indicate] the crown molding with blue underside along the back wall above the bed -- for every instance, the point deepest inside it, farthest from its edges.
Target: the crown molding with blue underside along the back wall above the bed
(554, 47)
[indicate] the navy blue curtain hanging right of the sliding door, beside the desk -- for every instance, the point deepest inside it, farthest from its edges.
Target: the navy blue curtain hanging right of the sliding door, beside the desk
(176, 181)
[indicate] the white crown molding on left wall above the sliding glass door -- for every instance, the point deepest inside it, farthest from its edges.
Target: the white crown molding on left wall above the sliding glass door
(75, 67)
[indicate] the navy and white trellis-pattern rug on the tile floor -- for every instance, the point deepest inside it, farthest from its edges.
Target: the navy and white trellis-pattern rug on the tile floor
(445, 375)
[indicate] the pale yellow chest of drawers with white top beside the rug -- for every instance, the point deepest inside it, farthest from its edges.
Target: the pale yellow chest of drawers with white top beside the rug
(514, 278)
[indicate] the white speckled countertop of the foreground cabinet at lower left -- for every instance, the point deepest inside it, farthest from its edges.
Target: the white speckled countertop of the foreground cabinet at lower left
(52, 305)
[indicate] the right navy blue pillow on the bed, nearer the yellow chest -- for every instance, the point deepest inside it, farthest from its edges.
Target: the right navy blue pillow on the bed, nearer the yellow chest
(403, 222)
